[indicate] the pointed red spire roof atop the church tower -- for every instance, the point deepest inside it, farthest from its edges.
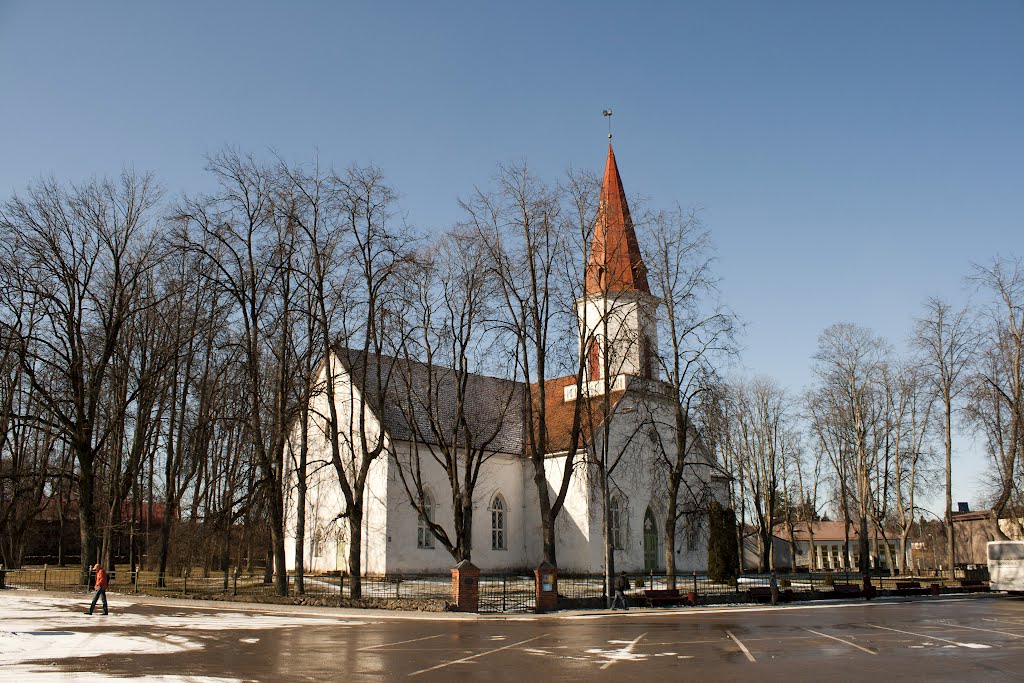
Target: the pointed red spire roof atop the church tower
(616, 265)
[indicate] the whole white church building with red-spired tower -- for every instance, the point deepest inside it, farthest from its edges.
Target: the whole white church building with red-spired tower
(618, 319)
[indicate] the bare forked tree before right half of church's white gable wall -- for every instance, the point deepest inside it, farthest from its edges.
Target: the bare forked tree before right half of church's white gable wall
(359, 260)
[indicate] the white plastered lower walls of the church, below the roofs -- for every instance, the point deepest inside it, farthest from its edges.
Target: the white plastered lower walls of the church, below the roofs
(642, 425)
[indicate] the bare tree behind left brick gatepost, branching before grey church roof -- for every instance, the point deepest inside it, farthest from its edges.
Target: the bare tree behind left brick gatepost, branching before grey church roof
(459, 418)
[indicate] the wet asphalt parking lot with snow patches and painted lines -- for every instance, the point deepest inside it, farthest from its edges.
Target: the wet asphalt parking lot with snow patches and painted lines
(44, 637)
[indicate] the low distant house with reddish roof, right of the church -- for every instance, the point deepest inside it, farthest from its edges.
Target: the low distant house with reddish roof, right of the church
(828, 552)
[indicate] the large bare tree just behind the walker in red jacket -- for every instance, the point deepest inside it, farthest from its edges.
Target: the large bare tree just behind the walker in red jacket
(81, 254)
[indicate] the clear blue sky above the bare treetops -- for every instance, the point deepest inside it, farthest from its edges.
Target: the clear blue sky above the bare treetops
(850, 159)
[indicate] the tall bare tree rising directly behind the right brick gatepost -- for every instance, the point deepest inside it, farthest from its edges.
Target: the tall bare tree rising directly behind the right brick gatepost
(535, 236)
